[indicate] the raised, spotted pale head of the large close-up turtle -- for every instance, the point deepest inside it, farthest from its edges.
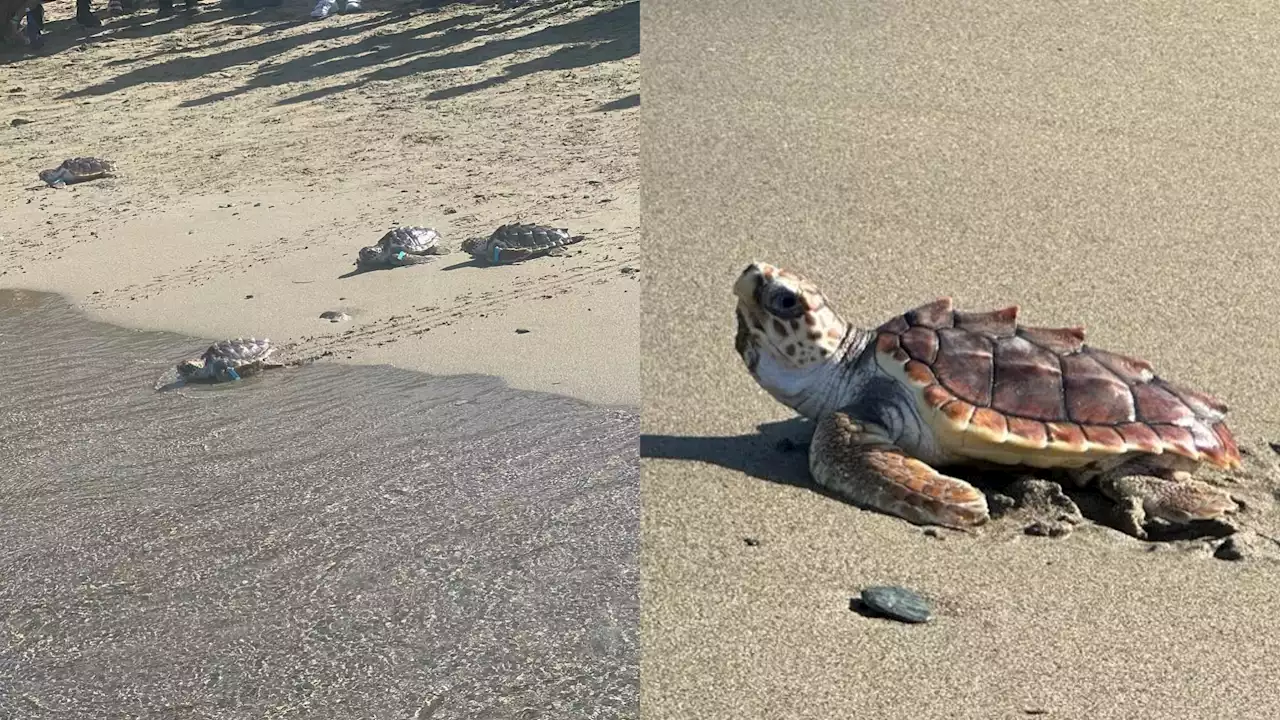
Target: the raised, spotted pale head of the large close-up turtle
(788, 334)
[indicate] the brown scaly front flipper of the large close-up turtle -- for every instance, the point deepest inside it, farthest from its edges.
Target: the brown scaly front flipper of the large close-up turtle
(871, 472)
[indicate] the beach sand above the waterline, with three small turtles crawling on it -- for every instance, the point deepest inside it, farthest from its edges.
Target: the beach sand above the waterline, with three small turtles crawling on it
(260, 151)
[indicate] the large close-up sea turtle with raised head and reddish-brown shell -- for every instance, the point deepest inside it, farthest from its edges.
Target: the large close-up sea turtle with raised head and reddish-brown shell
(938, 388)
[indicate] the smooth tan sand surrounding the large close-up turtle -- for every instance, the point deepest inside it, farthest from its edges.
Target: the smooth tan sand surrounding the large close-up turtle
(1114, 168)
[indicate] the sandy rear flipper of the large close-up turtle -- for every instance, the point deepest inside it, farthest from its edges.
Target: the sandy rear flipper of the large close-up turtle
(1176, 502)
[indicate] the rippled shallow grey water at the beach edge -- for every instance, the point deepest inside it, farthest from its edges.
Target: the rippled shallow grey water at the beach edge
(317, 543)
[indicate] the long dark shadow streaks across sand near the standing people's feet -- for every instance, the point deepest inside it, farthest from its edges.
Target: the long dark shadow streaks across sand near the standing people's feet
(400, 49)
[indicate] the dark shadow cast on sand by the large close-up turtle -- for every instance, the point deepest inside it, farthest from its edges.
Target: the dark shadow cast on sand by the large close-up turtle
(780, 454)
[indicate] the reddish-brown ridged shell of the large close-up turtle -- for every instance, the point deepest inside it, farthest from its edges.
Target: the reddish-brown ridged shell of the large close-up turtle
(989, 379)
